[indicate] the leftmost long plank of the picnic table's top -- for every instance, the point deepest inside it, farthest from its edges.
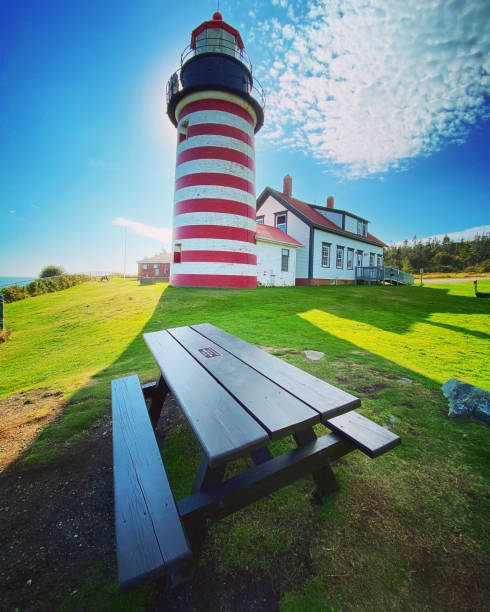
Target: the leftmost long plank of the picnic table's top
(224, 429)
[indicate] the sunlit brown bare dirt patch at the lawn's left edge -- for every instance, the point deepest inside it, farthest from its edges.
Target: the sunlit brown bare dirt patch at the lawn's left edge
(22, 417)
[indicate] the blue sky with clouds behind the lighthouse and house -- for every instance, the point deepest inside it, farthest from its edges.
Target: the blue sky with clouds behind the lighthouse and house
(383, 104)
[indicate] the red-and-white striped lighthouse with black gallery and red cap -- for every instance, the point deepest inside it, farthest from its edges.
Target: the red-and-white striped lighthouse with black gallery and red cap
(217, 109)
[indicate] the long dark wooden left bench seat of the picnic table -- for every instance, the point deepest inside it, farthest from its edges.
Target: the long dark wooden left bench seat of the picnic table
(150, 537)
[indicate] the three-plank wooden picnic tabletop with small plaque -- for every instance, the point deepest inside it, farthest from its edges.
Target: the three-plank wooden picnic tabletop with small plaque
(247, 397)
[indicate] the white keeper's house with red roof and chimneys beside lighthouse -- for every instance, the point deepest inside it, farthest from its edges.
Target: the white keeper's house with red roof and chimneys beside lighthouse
(327, 243)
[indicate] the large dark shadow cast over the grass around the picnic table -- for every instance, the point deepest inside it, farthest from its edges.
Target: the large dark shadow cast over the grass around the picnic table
(391, 394)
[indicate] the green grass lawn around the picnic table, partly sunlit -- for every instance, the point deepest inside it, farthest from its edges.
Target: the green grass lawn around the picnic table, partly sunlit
(406, 531)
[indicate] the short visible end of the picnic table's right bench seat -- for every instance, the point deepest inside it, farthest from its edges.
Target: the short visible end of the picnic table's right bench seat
(368, 436)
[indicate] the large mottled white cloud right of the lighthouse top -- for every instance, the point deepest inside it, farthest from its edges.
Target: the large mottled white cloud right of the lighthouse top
(372, 85)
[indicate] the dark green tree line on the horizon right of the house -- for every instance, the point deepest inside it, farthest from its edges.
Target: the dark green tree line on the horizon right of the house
(437, 256)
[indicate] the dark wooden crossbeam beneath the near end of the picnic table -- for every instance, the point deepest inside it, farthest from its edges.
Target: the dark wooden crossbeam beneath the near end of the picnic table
(200, 509)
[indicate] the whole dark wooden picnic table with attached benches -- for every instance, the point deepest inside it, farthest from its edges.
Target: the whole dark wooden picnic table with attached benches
(236, 399)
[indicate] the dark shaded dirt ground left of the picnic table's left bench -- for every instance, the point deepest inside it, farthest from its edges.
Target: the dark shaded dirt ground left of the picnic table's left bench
(56, 521)
